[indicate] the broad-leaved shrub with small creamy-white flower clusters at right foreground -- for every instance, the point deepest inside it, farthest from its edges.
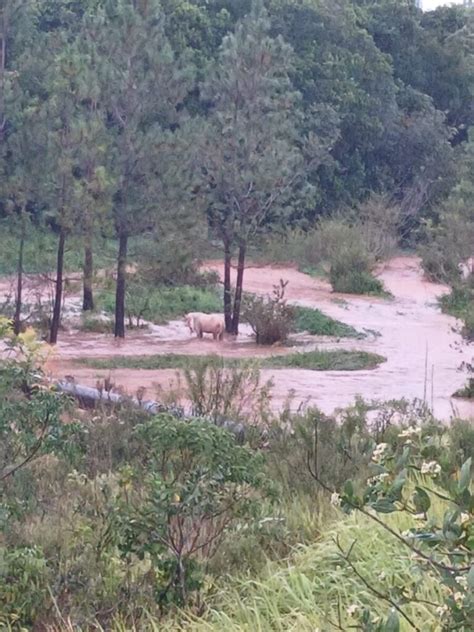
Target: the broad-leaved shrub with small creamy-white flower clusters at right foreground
(408, 478)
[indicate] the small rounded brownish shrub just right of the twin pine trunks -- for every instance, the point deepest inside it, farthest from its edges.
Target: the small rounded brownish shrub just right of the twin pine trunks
(271, 318)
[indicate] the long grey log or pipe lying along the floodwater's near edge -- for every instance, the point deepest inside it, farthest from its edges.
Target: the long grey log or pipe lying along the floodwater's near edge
(89, 397)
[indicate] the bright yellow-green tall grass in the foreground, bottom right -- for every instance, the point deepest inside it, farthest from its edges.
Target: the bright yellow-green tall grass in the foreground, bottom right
(314, 587)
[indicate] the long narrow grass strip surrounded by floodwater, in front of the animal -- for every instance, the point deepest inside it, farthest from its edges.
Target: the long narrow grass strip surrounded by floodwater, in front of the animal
(310, 360)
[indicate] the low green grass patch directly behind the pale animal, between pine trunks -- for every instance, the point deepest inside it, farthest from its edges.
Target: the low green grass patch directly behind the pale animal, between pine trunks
(162, 304)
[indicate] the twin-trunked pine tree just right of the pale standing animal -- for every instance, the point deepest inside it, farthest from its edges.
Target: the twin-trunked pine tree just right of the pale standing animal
(253, 158)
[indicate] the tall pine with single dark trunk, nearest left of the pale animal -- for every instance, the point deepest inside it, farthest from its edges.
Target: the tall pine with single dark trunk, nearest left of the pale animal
(144, 86)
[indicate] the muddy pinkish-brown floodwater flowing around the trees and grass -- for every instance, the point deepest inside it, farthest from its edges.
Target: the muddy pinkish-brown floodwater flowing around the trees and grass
(423, 347)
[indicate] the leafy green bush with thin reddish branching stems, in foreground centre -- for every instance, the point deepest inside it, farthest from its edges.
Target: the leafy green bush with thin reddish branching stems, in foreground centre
(195, 482)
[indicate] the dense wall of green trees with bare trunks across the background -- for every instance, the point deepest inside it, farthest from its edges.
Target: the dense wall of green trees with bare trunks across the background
(144, 117)
